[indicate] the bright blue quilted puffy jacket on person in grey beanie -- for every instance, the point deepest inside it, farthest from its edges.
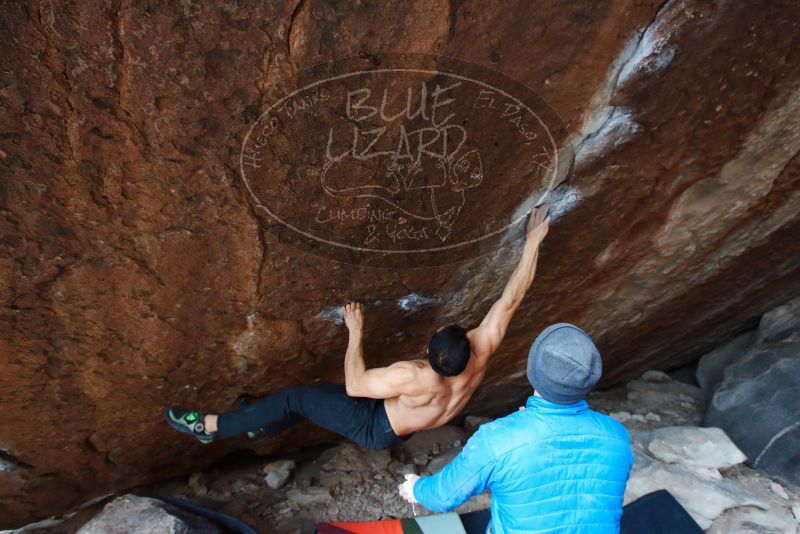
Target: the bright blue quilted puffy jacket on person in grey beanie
(551, 468)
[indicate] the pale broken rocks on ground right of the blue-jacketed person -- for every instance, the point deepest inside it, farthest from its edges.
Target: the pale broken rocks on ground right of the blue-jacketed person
(703, 470)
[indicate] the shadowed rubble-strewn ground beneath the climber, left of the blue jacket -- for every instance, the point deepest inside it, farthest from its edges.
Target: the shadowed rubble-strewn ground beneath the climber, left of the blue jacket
(341, 483)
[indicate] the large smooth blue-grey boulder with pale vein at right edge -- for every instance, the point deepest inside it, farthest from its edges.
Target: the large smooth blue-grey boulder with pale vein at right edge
(758, 406)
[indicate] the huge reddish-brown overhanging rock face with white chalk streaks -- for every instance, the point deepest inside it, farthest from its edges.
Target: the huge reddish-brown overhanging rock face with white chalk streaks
(138, 271)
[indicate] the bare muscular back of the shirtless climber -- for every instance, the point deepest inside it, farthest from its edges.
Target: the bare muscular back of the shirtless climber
(431, 400)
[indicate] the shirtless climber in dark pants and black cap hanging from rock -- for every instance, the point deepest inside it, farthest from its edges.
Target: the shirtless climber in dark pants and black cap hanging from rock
(378, 408)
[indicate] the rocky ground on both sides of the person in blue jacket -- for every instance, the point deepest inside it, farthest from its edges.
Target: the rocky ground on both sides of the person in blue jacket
(345, 483)
